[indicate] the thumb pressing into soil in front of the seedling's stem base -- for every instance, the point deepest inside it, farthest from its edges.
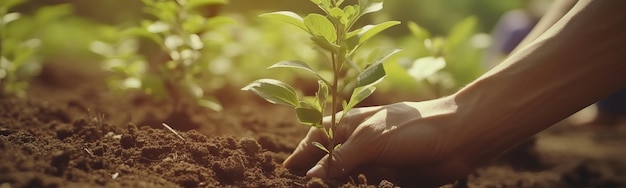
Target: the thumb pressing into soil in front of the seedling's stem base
(344, 159)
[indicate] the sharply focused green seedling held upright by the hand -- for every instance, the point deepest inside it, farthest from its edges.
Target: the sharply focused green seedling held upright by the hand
(334, 35)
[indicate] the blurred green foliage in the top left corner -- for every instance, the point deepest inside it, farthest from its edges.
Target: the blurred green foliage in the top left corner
(30, 39)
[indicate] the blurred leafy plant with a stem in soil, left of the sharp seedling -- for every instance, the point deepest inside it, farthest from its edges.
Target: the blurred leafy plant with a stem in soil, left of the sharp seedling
(179, 68)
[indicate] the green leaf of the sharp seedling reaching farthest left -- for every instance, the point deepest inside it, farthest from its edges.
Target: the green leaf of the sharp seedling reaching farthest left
(274, 91)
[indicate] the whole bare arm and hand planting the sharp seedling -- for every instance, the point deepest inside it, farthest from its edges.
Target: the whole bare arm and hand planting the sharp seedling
(571, 65)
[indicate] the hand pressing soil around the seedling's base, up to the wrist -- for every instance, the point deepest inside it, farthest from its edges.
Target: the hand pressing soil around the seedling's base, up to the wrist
(412, 142)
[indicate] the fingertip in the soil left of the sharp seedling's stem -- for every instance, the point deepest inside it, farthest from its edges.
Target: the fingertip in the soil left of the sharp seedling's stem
(306, 154)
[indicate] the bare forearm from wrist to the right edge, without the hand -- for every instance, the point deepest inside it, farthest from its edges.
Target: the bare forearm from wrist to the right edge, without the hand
(567, 68)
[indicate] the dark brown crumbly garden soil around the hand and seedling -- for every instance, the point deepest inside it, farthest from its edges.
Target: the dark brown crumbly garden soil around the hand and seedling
(71, 131)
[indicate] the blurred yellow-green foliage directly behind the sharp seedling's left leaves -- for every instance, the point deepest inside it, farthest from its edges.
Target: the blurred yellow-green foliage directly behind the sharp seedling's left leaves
(256, 43)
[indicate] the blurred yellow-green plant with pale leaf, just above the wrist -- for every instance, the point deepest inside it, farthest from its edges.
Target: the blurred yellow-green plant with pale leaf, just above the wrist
(444, 63)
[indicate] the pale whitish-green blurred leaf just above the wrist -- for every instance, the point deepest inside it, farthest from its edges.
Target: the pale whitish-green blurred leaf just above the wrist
(426, 66)
